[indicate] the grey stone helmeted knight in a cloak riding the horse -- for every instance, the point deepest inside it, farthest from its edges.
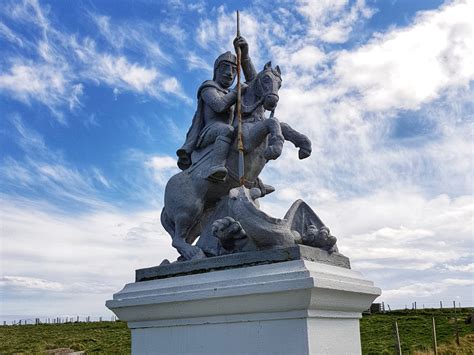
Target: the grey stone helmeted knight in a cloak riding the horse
(212, 122)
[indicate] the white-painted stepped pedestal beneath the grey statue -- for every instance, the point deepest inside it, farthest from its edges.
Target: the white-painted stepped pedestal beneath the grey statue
(294, 307)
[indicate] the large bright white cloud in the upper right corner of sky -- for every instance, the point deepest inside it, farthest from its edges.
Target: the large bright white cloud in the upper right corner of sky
(406, 67)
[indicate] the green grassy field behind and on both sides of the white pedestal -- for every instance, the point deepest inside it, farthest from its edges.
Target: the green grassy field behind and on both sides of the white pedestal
(376, 333)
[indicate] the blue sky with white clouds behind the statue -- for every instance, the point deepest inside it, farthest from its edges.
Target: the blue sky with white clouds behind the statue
(96, 96)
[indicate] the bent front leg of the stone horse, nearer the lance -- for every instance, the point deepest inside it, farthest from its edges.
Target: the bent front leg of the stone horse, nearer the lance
(258, 134)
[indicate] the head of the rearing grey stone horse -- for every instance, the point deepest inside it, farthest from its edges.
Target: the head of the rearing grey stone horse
(268, 82)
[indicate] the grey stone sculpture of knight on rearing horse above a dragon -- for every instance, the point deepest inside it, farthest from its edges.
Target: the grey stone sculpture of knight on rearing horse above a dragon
(207, 200)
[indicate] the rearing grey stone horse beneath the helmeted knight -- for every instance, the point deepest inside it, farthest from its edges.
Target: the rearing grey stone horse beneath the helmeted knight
(190, 196)
